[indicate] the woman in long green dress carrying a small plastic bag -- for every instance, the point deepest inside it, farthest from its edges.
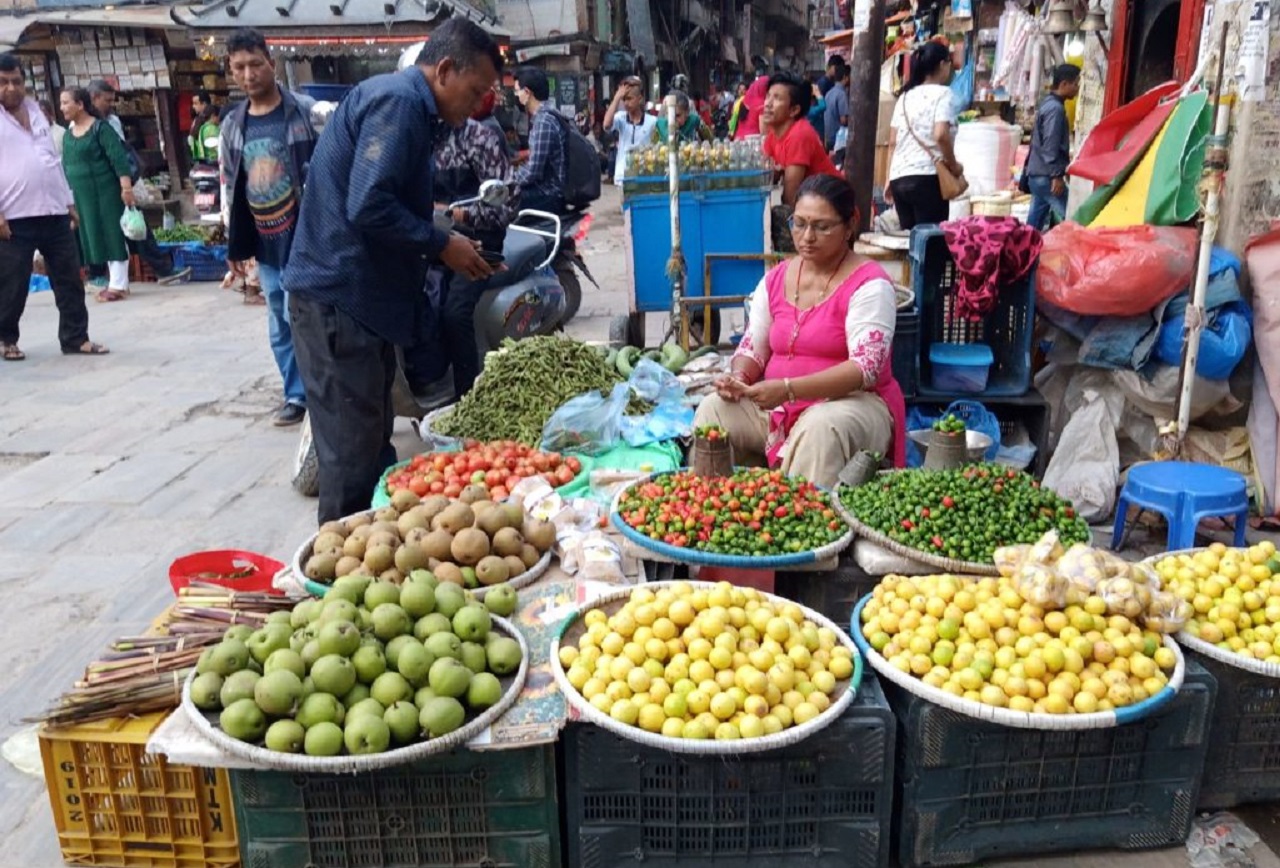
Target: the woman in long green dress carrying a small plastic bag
(98, 171)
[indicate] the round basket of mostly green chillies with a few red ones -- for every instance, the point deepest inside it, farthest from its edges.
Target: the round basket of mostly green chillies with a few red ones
(961, 515)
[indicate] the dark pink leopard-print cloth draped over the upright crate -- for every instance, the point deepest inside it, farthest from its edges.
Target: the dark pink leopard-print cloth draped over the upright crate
(989, 253)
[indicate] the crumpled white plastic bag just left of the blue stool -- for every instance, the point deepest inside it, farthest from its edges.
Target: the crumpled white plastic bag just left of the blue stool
(1086, 467)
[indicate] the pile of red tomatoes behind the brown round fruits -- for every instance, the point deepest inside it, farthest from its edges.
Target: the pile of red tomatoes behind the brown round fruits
(499, 467)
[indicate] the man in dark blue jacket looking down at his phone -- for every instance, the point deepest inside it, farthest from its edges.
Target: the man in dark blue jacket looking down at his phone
(364, 241)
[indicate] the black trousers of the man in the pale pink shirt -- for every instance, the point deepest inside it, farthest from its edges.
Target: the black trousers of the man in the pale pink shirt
(56, 241)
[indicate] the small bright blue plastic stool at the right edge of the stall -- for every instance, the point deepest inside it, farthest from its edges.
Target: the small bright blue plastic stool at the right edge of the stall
(1185, 494)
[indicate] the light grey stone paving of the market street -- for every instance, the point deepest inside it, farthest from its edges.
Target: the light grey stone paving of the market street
(113, 467)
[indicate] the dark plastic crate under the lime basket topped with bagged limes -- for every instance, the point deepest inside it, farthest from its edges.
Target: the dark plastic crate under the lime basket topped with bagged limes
(971, 791)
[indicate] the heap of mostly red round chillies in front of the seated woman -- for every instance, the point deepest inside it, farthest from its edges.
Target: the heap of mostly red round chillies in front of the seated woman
(753, 513)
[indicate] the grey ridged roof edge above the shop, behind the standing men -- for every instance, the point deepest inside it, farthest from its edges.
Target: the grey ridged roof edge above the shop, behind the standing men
(295, 15)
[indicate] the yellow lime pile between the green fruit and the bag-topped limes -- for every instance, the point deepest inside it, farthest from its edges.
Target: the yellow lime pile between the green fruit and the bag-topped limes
(707, 663)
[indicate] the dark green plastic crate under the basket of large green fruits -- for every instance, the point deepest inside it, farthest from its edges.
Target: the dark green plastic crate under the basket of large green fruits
(493, 808)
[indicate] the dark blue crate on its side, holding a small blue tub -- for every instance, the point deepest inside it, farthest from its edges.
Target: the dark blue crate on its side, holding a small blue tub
(1008, 330)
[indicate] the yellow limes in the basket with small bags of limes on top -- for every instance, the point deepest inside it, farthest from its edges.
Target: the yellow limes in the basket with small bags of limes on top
(980, 639)
